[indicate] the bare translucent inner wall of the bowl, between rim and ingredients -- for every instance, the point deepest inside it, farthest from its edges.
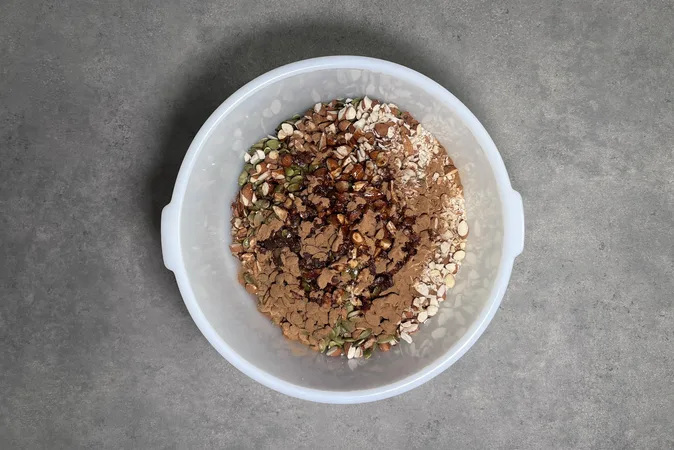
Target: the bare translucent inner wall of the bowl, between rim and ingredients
(211, 270)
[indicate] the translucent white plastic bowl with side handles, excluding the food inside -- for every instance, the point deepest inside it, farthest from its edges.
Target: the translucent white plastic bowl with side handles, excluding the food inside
(195, 232)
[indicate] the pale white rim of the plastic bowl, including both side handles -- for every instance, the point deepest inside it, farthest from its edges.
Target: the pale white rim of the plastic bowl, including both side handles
(513, 221)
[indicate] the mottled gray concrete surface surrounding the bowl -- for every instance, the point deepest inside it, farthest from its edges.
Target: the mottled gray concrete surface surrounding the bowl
(98, 102)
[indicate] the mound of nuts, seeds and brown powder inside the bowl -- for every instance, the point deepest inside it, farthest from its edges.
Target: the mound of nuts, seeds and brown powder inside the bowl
(350, 226)
